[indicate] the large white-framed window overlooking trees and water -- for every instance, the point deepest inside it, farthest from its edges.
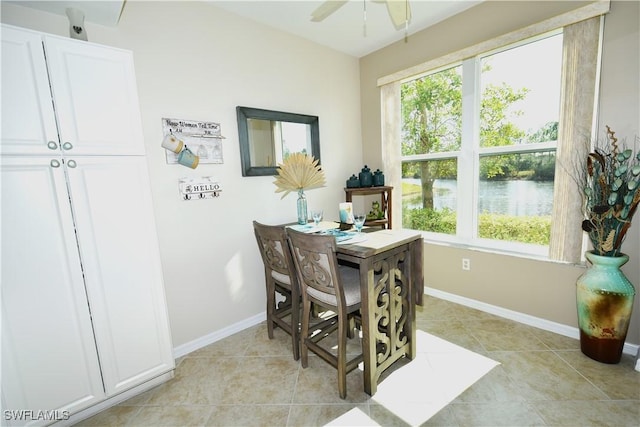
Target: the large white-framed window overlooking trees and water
(478, 142)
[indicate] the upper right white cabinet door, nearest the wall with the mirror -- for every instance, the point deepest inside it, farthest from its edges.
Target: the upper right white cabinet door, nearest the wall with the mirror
(96, 98)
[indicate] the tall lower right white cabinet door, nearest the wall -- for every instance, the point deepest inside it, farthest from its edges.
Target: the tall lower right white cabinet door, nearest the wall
(117, 237)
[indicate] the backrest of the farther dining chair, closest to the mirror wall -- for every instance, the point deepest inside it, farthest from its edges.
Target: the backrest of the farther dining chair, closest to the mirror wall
(274, 249)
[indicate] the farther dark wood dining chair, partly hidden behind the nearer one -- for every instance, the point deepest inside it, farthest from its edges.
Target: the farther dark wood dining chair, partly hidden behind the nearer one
(280, 278)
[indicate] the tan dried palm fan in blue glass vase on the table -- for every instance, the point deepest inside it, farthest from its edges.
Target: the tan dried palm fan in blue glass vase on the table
(299, 172)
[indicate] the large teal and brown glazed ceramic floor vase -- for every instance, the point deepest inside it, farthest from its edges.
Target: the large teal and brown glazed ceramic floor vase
(605, 301)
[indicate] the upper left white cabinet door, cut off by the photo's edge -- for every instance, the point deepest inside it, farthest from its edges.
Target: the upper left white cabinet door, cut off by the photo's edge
(28, 122)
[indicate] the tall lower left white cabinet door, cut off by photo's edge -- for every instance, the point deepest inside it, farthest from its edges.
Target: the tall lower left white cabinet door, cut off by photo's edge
(49, 358)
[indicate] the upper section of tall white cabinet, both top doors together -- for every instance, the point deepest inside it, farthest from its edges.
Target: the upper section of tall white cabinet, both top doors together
(94, 93)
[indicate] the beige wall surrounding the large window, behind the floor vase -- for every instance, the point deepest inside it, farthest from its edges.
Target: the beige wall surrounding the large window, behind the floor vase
(538, 288)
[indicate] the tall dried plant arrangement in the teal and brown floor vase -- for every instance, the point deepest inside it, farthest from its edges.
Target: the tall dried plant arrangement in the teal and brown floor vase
(611, 195)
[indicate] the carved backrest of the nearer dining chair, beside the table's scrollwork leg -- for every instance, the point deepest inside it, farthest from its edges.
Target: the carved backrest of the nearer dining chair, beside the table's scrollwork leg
(316, 264)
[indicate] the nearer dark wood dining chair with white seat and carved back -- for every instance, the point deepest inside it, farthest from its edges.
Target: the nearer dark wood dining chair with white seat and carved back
(329, 285)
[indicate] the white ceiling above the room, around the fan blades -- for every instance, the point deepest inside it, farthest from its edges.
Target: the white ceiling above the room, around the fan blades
(344, 30)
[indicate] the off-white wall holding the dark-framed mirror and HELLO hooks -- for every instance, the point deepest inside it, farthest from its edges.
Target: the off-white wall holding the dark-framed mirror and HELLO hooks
(195, 61)
